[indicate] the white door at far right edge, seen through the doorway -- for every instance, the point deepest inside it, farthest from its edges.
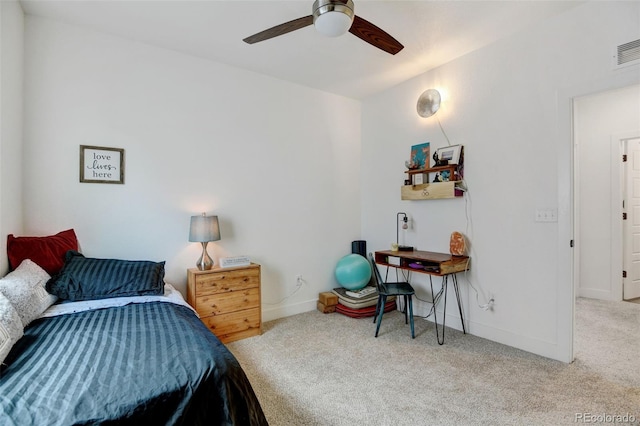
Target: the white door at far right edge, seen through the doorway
(631, 226)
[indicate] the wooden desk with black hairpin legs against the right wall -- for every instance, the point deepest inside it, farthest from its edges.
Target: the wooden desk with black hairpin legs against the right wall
(434, 264)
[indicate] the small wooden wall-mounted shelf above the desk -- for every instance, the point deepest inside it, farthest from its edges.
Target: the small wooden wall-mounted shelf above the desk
(434, 190)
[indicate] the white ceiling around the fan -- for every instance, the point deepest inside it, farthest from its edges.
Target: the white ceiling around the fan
(433, 33)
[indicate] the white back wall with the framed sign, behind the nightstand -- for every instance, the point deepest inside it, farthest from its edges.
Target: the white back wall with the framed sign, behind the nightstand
(278, 163)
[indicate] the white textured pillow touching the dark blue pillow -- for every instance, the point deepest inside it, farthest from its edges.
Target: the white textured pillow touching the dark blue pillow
(25, 289)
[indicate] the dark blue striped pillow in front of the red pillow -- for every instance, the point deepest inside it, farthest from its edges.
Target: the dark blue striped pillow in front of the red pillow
(85, 278)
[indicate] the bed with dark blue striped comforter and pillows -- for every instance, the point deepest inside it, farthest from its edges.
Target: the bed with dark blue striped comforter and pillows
(122, 359)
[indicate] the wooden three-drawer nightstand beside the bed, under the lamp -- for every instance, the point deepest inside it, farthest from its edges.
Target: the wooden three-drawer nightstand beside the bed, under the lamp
(227, 300)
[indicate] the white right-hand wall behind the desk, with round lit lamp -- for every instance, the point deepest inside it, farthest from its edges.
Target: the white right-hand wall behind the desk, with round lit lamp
(510, 105)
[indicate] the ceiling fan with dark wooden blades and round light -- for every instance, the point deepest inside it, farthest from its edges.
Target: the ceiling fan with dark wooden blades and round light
(334, 18)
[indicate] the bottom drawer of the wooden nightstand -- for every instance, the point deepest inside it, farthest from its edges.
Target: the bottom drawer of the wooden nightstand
(235, 325)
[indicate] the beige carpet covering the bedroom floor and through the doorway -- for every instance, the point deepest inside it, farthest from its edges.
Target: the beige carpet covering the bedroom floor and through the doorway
(328, 369)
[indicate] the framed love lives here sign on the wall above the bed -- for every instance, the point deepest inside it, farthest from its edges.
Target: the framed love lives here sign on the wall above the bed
(99, 164)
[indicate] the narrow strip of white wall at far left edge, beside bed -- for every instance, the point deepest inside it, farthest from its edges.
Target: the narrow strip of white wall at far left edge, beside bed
(11, 54)
